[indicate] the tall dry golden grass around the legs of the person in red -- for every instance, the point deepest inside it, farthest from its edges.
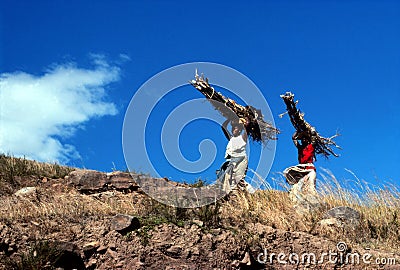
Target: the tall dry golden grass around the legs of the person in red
(379, 208)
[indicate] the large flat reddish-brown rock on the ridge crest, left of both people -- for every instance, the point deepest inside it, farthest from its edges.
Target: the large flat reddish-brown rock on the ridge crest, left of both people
(88, 181)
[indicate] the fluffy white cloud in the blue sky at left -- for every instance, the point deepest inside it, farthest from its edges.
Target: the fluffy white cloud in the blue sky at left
(36, 111)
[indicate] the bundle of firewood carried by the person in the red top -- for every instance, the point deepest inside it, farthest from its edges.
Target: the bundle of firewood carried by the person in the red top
(322, 145)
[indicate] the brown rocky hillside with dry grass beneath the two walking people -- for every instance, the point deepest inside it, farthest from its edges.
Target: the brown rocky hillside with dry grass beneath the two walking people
(82, 219)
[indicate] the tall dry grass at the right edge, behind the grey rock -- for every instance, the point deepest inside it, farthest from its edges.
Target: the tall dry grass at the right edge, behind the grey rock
(379, 208)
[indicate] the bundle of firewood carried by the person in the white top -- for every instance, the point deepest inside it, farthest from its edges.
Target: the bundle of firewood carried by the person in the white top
(257, 128)
